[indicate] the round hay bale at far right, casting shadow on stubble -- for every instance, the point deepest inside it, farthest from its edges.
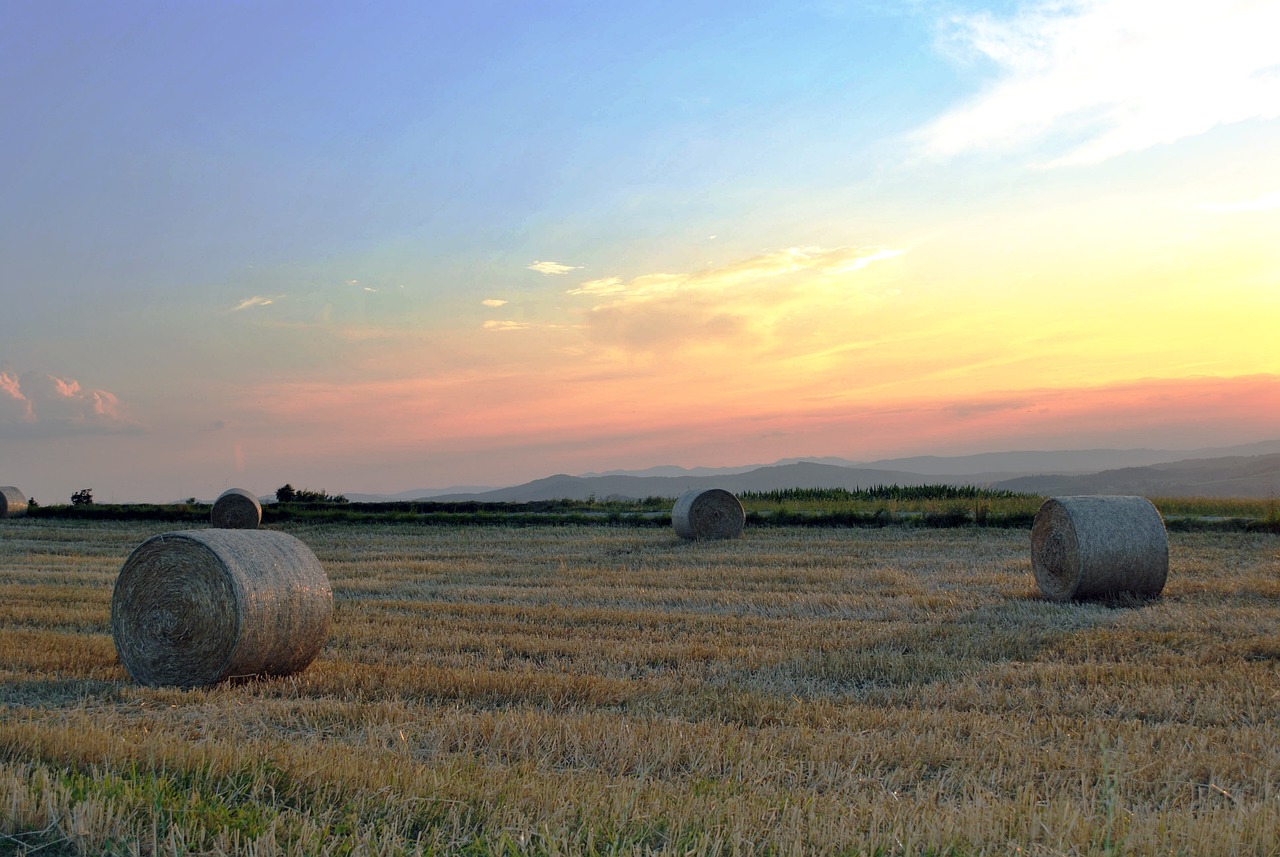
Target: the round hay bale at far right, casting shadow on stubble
(1096, 547)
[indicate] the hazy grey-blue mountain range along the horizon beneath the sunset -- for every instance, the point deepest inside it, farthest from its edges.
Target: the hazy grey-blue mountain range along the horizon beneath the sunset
(1249, 471)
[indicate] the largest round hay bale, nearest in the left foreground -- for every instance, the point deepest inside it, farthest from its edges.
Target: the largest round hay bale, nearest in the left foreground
(199, 607)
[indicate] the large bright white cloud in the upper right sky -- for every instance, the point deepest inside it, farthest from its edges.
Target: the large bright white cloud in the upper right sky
(1092, 80)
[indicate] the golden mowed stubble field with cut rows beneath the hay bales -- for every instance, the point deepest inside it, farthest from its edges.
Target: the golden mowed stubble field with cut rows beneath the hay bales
(614, 690)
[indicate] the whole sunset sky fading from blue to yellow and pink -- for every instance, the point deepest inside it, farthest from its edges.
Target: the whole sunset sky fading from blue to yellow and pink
(369, 248)
